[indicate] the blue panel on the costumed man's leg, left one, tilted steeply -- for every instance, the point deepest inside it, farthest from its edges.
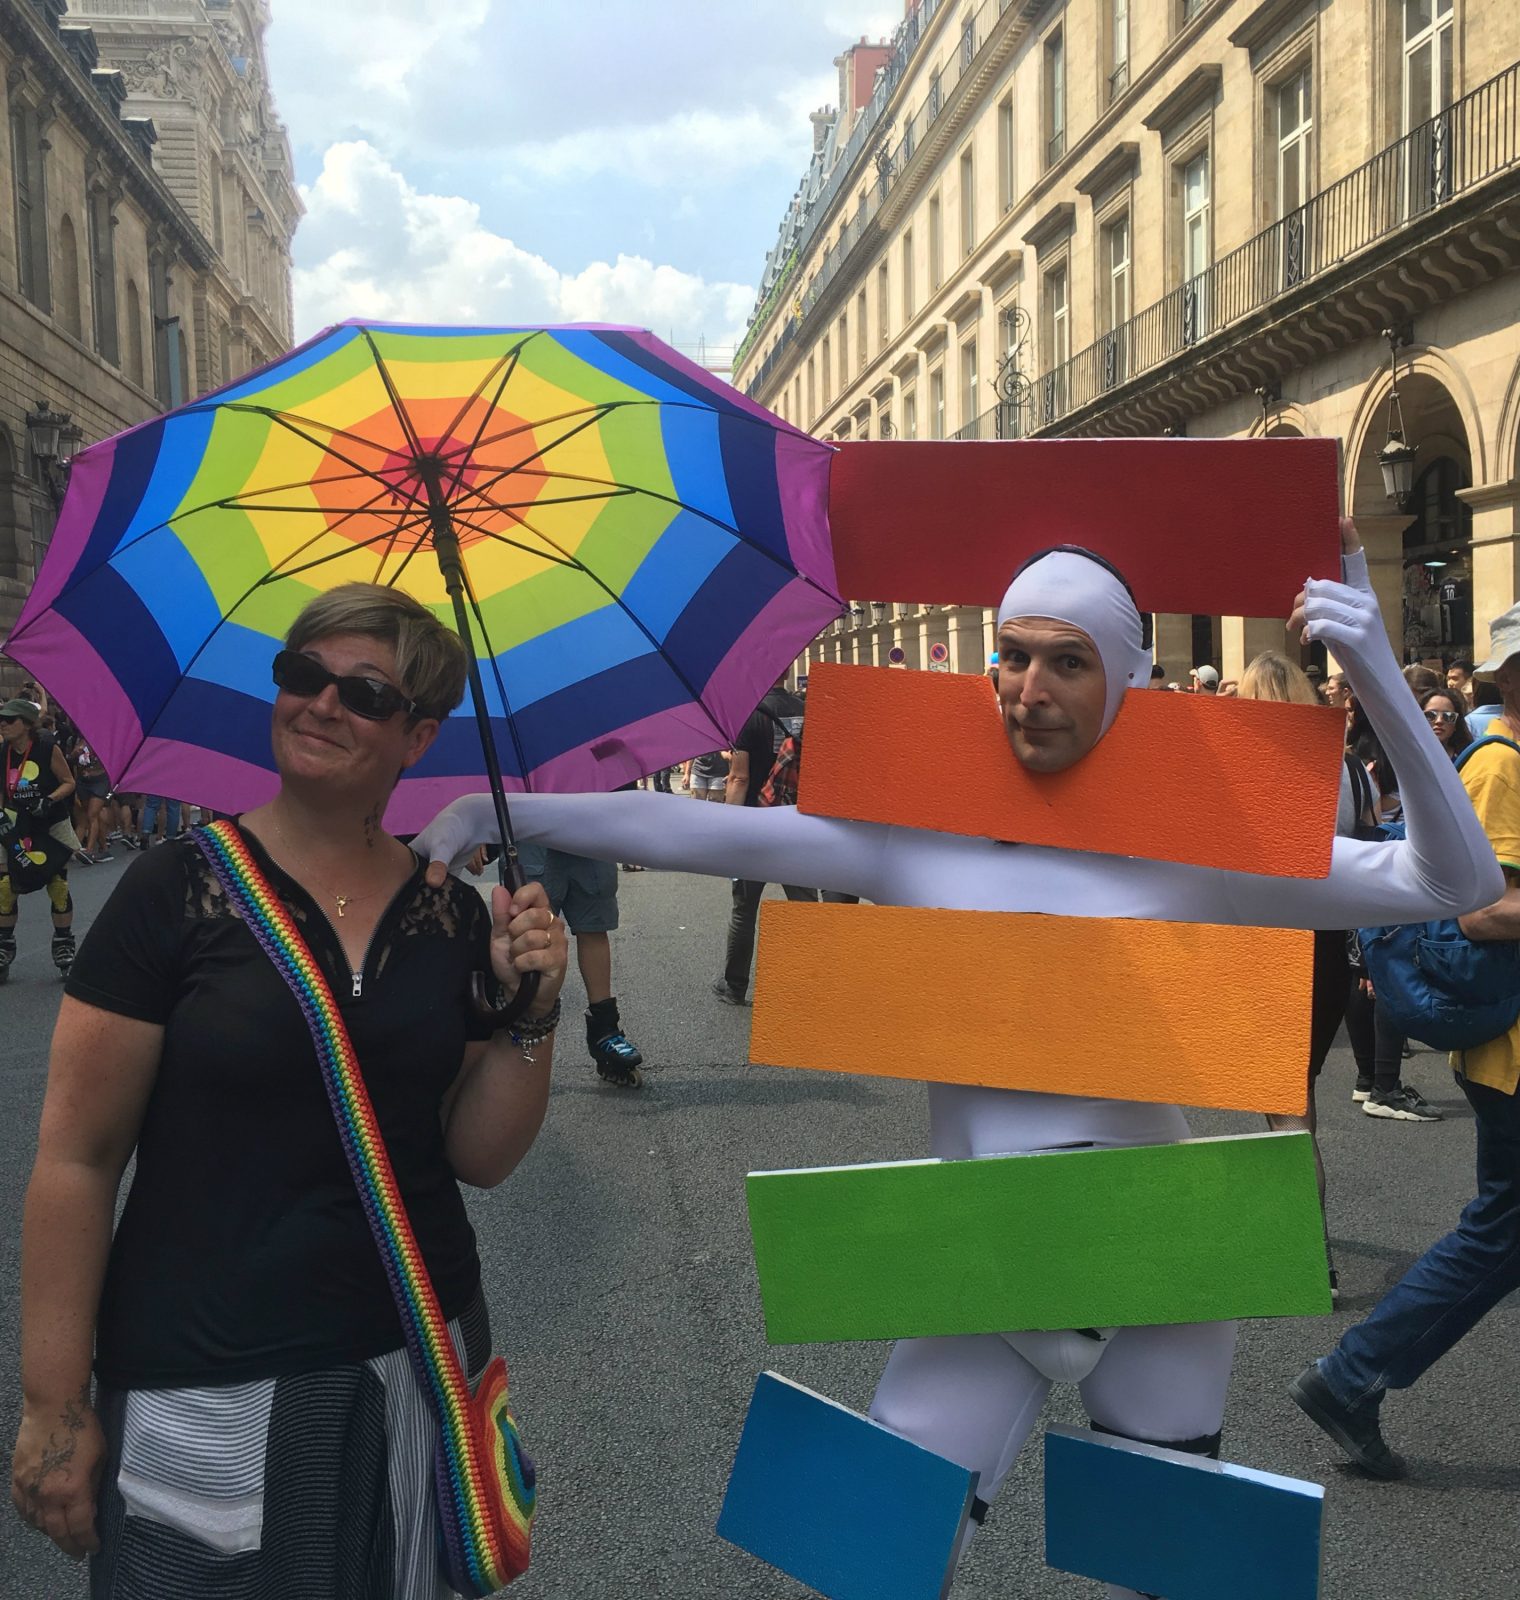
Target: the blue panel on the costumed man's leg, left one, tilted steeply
(841, 1503)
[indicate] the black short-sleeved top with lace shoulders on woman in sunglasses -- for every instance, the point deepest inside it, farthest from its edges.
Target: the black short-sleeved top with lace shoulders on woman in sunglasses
(244, 1250)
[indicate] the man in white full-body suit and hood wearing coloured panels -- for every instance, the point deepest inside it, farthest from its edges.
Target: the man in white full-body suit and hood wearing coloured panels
(1071, 644)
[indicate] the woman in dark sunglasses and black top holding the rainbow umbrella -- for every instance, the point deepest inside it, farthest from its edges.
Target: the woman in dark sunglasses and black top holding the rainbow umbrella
(257, 1425)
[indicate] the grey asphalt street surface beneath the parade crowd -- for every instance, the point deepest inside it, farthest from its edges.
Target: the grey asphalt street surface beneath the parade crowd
(623, 1294)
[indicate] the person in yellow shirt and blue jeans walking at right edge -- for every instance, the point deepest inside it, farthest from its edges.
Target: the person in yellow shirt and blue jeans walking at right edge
(1462, 1278)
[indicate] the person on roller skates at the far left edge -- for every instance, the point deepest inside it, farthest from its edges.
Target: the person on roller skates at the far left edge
(38, 788)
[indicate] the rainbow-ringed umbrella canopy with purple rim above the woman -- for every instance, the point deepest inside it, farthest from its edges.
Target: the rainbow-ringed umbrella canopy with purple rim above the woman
(644, 553)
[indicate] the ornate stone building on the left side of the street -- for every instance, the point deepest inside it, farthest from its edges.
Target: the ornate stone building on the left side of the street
(146, 212)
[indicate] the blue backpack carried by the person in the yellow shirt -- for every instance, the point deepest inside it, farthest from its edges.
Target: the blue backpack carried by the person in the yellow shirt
(1439, 986)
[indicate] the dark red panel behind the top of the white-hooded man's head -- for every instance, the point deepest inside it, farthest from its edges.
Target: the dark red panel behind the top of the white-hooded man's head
(1220, 527)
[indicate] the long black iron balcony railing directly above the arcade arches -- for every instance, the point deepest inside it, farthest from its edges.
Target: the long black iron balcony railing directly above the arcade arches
(1457, 150)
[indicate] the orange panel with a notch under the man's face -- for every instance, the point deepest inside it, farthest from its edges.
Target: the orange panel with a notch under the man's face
(1177, 778)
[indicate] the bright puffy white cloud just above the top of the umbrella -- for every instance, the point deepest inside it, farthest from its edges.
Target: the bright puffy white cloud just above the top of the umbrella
(372, 246)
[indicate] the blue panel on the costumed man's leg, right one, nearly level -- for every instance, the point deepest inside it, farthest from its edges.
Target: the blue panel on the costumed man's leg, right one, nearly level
(1178, 1526)
